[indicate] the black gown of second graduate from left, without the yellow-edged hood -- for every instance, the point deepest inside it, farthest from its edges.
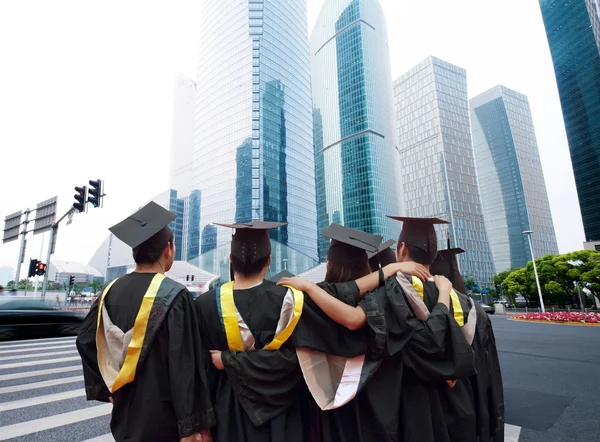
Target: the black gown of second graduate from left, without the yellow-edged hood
(265, 413)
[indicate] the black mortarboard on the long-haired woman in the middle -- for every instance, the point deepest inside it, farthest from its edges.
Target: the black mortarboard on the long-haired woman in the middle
(349, 246)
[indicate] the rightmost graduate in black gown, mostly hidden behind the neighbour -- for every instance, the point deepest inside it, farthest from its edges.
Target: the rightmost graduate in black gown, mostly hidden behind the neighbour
(487, 383)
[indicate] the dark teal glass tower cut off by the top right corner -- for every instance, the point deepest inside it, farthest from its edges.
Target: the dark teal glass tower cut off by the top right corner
(574, 49)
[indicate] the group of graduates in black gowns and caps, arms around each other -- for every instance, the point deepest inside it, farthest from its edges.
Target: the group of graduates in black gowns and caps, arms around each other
(388, 348)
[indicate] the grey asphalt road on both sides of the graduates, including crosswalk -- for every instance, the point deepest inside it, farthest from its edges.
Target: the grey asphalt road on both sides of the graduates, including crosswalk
(550, 374)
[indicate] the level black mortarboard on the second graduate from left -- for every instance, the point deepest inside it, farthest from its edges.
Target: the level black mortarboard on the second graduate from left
(251, 242)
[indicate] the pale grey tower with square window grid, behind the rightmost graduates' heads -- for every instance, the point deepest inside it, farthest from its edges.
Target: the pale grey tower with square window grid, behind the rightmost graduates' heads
(436, 157)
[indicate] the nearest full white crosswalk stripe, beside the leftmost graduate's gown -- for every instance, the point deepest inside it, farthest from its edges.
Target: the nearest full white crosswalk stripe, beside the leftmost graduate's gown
(47, 423)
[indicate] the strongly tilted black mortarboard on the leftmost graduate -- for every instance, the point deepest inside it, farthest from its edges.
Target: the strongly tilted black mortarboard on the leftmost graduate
(145, 224)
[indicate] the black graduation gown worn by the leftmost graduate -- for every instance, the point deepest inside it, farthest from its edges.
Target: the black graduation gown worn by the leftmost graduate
(169, 397)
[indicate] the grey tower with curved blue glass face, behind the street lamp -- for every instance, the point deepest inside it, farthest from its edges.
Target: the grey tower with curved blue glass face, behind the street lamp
(511, 180)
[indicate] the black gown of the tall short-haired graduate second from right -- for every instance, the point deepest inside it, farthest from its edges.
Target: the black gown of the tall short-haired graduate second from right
(435, 352)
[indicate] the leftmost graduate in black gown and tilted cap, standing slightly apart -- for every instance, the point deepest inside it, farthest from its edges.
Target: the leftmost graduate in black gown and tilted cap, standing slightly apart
(140, 343)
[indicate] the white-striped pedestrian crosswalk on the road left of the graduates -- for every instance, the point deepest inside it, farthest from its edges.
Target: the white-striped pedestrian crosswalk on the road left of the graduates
(42, 396)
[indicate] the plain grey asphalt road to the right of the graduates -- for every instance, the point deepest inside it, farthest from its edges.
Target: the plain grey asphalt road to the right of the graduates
(551, 379)
